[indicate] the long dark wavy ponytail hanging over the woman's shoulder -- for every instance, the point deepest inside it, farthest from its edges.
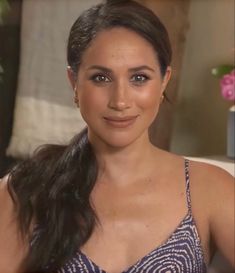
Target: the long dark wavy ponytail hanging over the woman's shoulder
(52, 190)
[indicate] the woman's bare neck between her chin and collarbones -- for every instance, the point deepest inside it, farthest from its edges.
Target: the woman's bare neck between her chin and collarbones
(123, 164)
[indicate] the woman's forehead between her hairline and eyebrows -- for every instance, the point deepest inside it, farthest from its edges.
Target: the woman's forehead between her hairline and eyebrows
(119, 46)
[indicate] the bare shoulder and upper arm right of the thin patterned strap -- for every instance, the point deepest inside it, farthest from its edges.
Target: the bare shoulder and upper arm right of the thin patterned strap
(214, 189)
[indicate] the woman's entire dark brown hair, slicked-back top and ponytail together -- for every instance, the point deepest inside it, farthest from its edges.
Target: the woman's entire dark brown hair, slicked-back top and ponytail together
(51, 190)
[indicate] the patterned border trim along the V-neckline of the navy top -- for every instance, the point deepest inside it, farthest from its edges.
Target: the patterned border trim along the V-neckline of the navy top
(140, 260)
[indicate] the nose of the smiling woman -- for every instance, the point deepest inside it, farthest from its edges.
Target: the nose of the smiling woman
(120, 98)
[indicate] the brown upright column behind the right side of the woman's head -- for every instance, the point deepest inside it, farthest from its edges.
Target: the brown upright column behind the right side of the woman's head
(174, 15)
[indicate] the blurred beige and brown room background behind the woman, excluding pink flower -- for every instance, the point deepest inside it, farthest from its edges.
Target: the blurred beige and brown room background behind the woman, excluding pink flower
(36, 102)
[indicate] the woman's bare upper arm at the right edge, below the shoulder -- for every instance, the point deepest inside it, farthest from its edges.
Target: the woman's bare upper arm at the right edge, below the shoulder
(221, 218)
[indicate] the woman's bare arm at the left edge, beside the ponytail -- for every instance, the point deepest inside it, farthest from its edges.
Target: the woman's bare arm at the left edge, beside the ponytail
(12, 248)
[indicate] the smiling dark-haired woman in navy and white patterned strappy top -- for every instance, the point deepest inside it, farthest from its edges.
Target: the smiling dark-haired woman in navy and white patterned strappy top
(110, 201)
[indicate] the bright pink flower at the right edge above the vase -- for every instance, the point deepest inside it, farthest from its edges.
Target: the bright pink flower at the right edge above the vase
(227, 84)
